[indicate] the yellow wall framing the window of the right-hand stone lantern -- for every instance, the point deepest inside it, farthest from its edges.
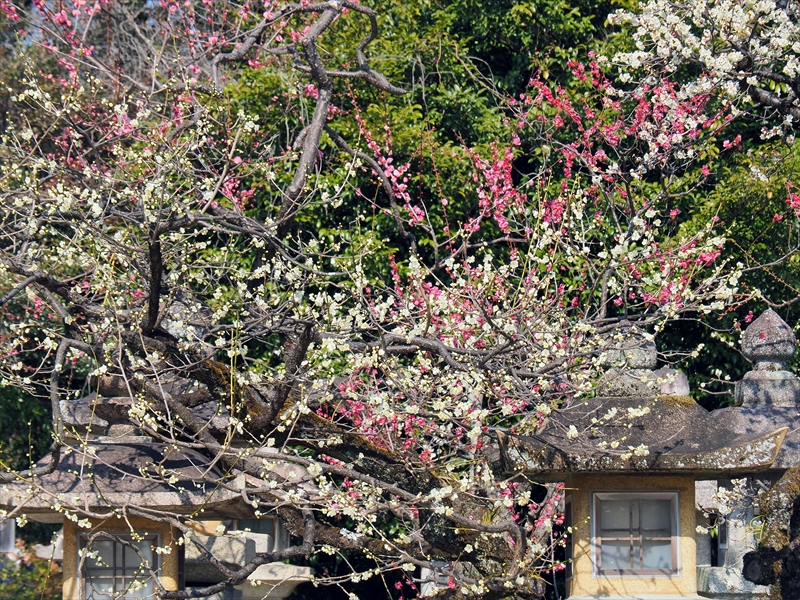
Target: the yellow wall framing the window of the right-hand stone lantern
(585, 582)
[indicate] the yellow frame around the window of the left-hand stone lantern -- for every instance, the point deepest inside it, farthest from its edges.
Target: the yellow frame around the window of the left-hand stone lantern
(168, 563)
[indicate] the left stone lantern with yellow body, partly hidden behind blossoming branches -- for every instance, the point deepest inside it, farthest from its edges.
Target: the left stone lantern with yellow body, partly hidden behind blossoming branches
(119, 495)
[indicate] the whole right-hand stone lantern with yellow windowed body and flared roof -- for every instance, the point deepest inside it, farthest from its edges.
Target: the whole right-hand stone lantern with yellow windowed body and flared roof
(629, 458)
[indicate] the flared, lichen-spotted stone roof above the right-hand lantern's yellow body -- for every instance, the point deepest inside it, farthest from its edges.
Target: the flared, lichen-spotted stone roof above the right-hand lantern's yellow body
(672, 434)
